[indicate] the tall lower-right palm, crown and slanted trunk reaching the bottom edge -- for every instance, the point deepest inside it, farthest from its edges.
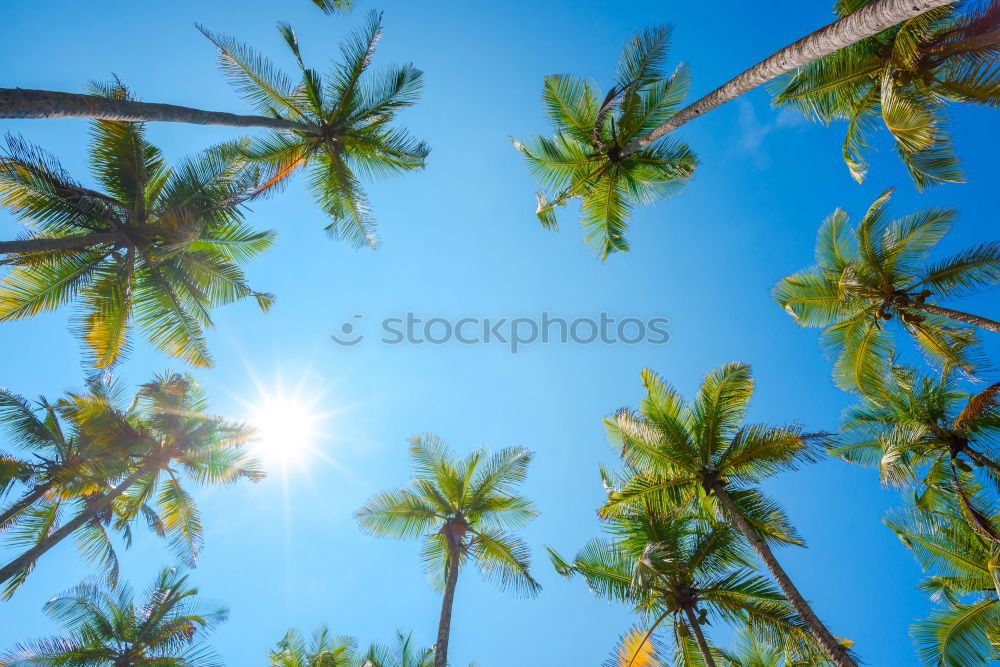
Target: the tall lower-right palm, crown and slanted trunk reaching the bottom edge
(700, 457)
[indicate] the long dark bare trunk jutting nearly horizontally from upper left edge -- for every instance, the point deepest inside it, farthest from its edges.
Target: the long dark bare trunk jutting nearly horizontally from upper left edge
(24, 103)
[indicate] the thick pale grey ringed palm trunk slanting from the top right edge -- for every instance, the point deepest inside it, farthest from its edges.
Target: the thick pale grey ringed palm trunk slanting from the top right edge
(870, 20)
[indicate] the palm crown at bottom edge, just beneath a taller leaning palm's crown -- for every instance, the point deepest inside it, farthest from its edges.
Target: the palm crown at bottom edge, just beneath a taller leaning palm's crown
(686, 571)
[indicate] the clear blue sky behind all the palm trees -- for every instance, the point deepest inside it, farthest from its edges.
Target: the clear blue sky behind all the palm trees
(460, 239)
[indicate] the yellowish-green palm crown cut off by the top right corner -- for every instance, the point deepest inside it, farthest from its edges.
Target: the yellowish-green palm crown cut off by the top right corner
(904, 77)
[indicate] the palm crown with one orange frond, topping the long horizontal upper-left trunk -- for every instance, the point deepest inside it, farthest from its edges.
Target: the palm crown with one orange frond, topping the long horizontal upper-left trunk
(349, 113)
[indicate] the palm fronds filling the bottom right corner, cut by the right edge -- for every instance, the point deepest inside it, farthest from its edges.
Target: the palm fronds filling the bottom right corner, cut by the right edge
(963, 579)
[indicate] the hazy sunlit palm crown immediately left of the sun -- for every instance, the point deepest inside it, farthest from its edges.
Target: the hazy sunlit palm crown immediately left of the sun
(163, 436)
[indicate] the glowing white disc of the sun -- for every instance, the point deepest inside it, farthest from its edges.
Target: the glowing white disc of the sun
(287, 428)
